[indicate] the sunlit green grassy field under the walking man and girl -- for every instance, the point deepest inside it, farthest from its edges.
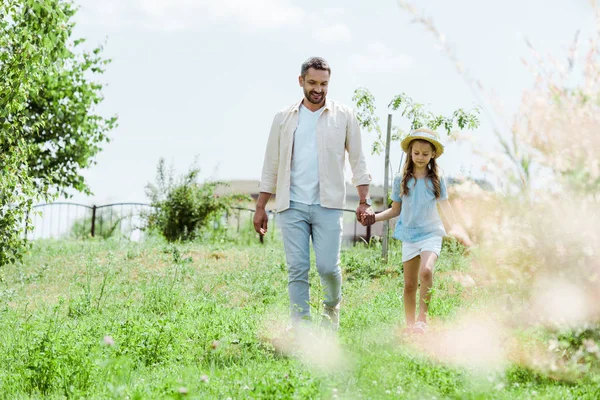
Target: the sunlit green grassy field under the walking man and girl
(110, 319)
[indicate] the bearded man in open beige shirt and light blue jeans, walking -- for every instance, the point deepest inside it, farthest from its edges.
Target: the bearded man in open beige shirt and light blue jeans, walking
(304, 164)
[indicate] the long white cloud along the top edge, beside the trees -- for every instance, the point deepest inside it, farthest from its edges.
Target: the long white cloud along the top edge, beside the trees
(185, 14)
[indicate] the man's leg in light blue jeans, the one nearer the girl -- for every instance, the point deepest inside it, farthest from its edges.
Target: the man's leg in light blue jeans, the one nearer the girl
(327, 240)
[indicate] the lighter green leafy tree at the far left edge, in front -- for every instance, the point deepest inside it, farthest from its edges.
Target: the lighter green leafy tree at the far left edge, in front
(31, 34)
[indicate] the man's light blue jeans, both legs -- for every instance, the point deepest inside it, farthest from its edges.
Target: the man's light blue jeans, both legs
(298, 224)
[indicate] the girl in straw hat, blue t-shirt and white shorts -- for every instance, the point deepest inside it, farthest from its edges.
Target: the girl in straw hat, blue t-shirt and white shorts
(415, 196)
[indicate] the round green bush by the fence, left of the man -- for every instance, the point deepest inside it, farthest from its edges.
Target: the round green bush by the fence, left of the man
(182, 209)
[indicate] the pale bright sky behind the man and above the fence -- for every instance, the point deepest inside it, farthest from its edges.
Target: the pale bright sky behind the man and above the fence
(204, 78)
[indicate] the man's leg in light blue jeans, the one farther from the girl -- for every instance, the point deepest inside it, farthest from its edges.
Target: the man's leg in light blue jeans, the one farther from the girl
(295, 231)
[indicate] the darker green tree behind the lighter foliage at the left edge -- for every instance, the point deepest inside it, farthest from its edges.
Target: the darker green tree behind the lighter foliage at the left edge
(62, 121)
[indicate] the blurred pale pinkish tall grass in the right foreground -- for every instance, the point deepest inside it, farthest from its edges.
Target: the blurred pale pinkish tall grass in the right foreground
(539, 241)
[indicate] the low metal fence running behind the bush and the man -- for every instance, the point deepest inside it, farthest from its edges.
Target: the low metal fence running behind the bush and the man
(62, 220)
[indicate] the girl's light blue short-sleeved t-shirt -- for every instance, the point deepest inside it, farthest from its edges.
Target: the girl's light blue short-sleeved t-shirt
(419, 219)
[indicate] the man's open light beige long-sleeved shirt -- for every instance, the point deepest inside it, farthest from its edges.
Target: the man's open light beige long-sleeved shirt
(338, 132)
